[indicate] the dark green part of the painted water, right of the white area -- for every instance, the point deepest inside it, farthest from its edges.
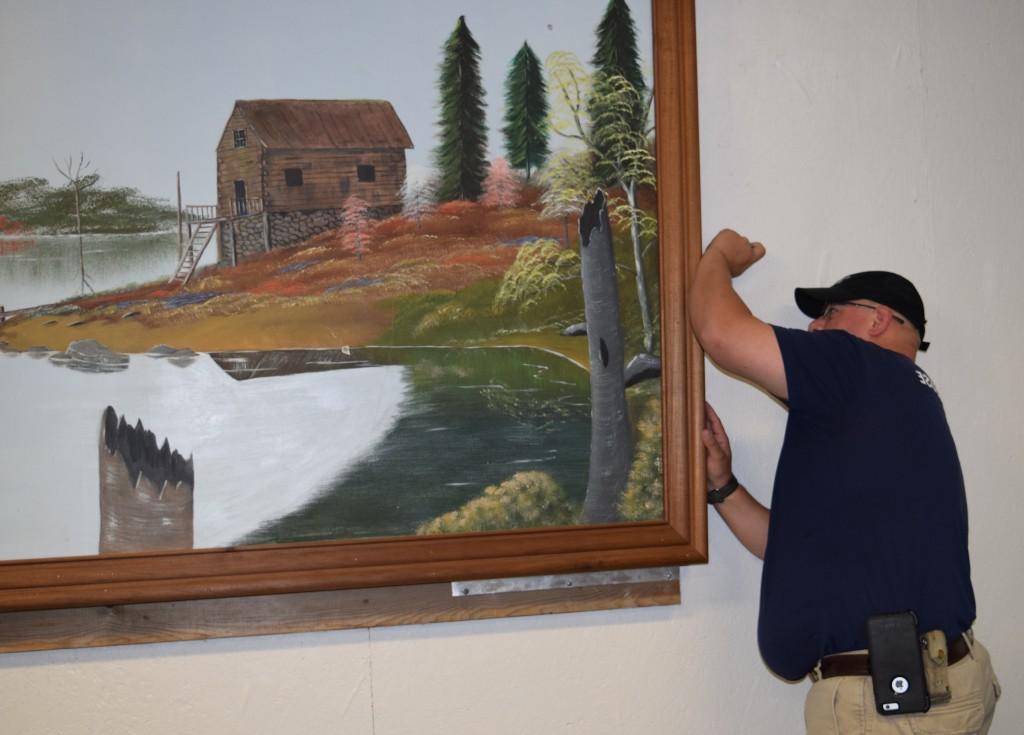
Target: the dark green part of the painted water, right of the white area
(474, 419)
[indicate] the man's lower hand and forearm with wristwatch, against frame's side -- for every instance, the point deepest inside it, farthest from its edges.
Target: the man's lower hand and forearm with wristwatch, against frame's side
(747, 518)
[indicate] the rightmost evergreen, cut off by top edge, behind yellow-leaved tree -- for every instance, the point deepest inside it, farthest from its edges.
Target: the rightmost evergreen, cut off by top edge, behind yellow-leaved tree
(617, 59)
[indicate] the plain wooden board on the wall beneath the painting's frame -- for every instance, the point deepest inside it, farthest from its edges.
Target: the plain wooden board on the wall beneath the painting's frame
(307, 613)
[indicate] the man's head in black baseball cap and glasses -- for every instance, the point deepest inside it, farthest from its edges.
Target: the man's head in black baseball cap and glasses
(876, 306)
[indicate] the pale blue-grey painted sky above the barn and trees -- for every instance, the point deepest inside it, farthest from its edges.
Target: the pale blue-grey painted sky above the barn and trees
(145, 88)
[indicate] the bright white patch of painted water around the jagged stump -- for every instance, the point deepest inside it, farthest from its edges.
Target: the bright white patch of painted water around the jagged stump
(262, 448)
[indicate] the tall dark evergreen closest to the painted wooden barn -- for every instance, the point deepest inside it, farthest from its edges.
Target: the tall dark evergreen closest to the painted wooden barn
(461, 155)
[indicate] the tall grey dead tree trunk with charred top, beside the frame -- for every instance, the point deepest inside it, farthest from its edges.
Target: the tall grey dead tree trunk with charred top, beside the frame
(611, 436)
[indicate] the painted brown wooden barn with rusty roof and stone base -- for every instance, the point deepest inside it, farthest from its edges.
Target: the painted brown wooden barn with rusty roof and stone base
(285, 168)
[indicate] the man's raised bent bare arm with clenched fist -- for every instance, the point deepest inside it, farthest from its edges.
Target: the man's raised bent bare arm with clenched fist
(731, 335)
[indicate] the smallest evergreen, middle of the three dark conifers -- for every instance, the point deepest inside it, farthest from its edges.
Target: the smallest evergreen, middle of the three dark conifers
(526, 112)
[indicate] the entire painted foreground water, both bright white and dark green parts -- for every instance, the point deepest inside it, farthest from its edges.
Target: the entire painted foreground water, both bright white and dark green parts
(314, 453)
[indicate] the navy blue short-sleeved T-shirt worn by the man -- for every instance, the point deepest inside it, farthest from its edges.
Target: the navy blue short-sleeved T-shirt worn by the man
(869, 514)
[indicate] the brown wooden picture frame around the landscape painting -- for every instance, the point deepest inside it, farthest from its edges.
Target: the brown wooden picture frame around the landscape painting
(134, 579)
